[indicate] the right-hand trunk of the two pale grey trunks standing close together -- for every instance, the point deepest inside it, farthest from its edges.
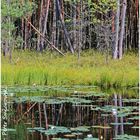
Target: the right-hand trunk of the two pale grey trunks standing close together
(122, 29)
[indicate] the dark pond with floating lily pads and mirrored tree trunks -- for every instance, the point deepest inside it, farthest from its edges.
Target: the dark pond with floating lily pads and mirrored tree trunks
(45, 113)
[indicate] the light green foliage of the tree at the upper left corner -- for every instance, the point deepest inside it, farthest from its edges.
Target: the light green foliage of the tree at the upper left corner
(10, 12)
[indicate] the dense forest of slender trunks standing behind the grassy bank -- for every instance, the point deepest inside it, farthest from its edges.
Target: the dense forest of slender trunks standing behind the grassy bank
(108, 26)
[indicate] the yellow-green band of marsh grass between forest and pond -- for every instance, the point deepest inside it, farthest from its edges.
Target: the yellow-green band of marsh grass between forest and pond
(29, 68)
